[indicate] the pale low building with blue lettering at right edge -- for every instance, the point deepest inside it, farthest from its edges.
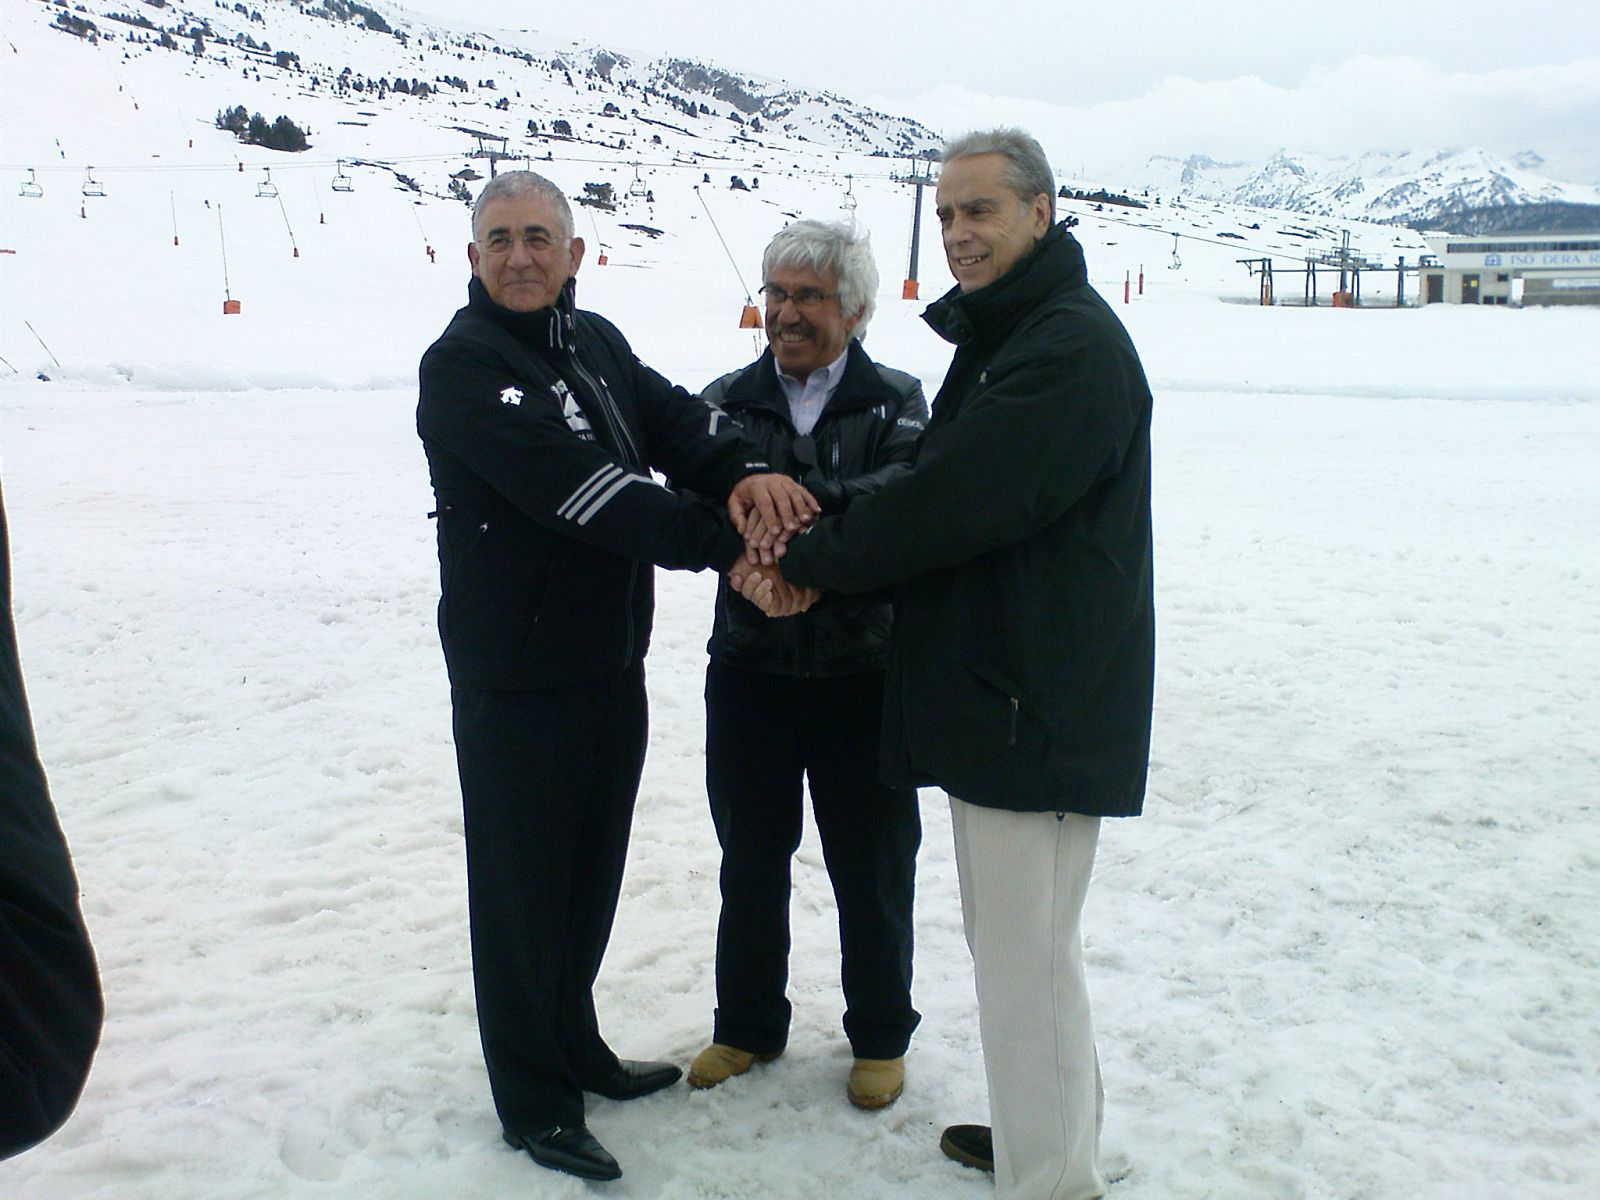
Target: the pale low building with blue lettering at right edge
(1513, 270)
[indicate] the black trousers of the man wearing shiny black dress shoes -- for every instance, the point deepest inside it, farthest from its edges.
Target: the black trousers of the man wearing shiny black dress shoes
(548, 785)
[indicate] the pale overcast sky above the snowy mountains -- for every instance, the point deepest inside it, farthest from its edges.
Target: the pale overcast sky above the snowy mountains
(1106, 86)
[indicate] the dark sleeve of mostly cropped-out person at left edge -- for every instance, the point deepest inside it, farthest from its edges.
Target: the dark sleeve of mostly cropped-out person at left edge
(50, 998)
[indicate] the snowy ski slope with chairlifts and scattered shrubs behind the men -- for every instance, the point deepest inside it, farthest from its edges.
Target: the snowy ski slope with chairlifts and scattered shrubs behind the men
(191, 215)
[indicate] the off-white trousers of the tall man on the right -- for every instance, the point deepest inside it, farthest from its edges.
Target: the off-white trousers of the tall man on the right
(1025, 878)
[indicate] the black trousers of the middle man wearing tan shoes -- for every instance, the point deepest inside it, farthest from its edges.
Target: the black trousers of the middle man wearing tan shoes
(764, 737)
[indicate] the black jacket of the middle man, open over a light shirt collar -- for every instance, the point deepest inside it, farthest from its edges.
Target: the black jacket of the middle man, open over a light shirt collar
(866, 434)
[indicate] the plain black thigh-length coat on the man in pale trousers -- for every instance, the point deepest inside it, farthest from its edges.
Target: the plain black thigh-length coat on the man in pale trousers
(1022, 666)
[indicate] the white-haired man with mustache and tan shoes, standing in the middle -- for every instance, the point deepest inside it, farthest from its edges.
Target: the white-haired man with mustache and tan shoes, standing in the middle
(801, 698)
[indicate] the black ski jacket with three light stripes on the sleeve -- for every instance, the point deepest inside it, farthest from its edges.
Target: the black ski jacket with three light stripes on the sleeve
(542, 431)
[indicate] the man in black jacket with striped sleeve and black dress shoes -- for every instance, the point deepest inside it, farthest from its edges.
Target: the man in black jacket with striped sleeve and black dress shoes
(542, 433)
